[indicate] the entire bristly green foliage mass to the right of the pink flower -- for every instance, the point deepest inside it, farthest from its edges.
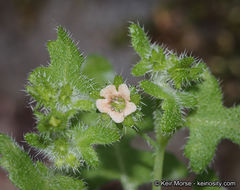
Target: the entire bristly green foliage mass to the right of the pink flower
(182, 82)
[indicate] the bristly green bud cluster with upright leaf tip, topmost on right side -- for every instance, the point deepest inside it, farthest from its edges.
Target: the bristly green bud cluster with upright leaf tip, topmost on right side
(182, 70)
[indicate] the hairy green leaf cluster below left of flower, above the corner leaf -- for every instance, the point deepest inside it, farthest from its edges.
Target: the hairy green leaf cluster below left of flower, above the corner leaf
(75, 145)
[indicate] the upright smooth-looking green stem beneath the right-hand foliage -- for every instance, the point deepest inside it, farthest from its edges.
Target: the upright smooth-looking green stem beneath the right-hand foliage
(159, 159)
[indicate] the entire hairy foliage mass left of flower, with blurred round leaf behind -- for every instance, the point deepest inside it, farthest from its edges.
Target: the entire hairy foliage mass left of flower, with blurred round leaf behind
(63, 92)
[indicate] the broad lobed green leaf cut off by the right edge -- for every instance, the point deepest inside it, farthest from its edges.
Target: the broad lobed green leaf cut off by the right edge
(210, 123)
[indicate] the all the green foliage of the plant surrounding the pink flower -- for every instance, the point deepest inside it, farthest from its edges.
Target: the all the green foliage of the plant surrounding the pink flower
(71, 131)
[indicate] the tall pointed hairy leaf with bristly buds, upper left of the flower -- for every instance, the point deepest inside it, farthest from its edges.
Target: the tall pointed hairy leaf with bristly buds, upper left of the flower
(61, 86)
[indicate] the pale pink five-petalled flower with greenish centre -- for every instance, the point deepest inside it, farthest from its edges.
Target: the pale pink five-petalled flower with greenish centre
(116, 103)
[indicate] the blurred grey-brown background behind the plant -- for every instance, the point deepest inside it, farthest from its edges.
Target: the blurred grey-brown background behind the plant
(208, 29)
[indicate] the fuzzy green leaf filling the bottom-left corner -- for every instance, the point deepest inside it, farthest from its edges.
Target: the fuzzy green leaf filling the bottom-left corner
(27, 175)
